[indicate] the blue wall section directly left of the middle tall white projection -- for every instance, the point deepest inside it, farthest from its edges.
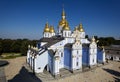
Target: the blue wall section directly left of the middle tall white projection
(67, 57)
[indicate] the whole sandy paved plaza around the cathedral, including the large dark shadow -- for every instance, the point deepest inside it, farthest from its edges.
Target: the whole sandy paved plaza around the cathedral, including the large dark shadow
(16, 72)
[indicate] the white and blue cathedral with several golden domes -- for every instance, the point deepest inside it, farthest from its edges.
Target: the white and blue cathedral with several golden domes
(64, 49)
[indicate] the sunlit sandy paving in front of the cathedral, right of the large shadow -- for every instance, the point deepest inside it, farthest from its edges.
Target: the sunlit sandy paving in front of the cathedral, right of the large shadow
(104, 73)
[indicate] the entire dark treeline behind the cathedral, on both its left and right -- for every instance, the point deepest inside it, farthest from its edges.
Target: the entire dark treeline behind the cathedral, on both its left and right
(21, 45)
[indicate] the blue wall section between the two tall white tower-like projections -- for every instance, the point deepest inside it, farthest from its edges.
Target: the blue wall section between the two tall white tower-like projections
(85, 56)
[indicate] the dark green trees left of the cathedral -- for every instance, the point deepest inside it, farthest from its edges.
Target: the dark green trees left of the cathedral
(16, 46)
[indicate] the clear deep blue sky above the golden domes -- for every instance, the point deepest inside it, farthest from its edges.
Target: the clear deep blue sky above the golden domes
(26, 18)
